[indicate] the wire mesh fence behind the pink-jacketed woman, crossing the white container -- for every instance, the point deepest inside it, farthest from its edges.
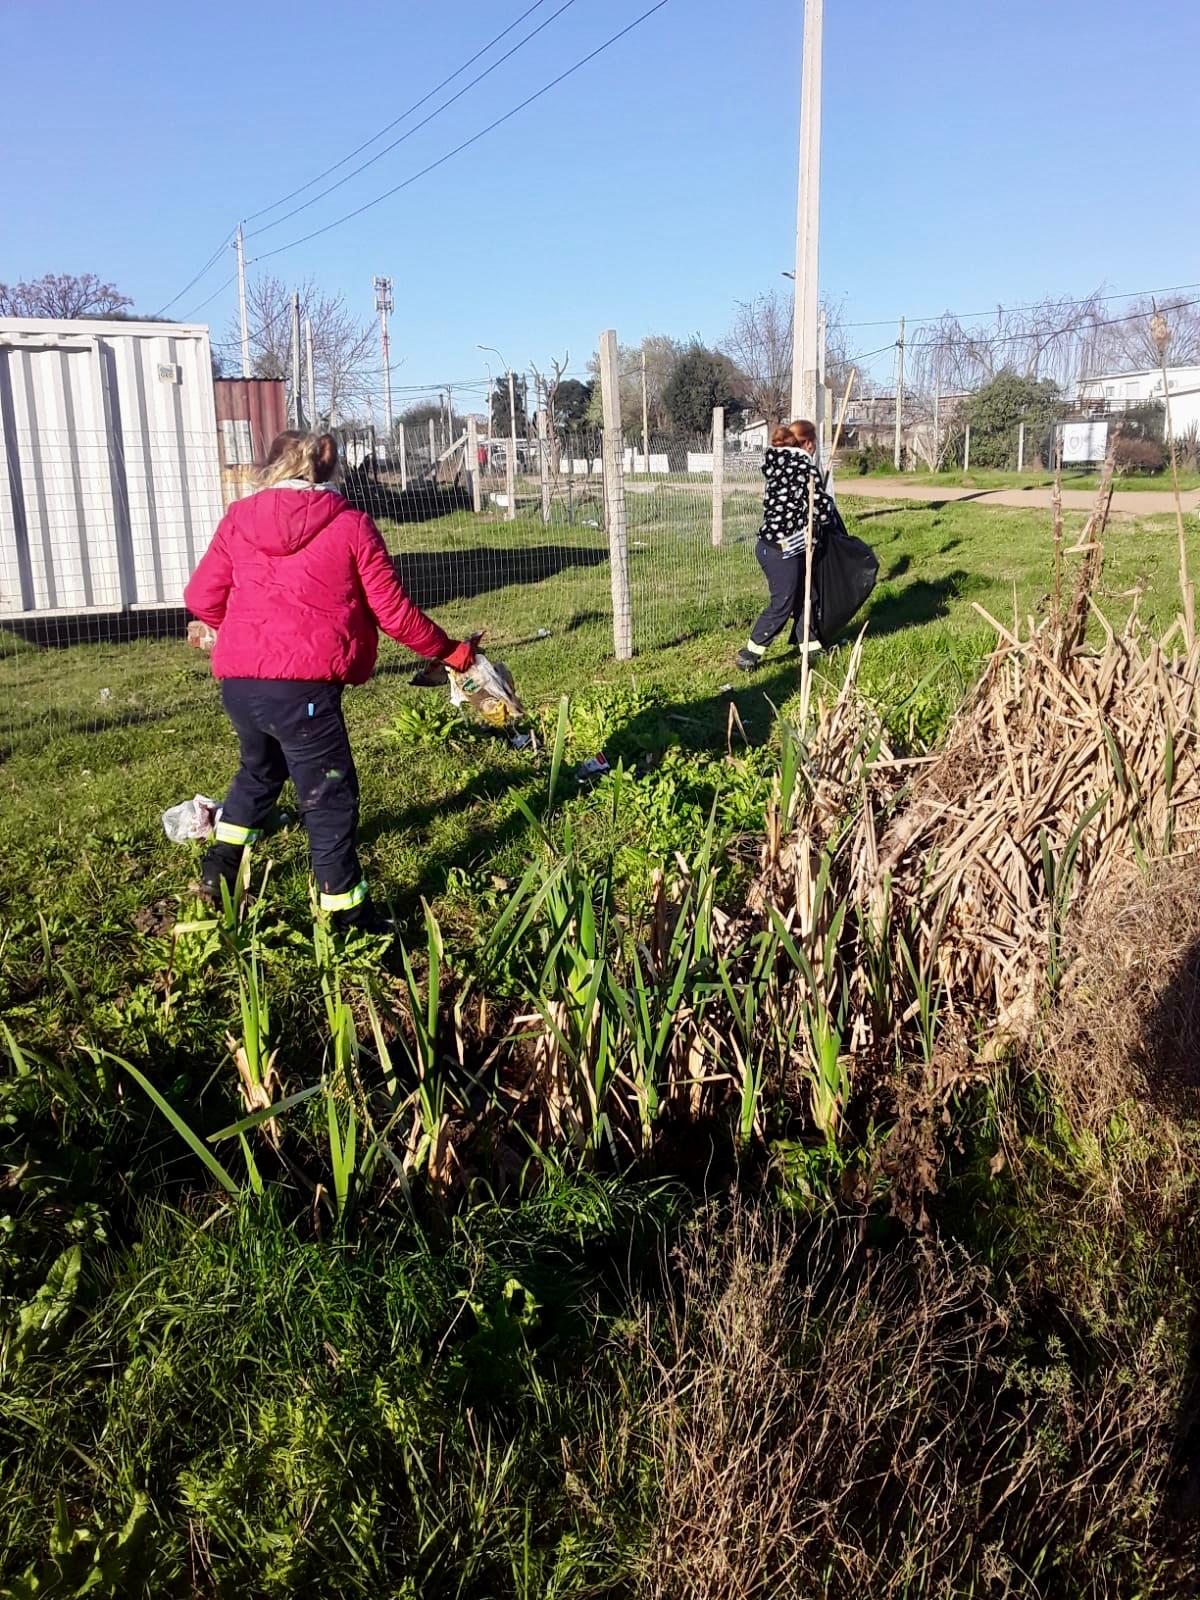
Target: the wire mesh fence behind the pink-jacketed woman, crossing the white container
(98, 542)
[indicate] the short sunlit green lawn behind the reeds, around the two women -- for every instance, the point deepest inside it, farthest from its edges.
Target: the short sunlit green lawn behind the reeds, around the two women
(111, 735)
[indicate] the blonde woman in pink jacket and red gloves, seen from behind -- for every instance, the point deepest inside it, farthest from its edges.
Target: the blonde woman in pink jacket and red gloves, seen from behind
(298, 585)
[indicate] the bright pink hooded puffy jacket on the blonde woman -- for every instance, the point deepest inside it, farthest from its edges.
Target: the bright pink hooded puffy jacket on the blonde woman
(298, 585)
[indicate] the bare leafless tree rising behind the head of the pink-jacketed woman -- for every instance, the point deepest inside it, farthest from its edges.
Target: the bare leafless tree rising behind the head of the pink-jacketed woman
(343, 348)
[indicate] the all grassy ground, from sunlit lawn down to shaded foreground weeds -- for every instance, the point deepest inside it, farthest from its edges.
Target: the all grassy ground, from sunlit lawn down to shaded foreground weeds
(726, 1367)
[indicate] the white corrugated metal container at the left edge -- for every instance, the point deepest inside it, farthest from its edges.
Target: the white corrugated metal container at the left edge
(110, 481)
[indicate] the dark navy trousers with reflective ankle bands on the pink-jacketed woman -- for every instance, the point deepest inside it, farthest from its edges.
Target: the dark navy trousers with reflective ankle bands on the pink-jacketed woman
(294, 730)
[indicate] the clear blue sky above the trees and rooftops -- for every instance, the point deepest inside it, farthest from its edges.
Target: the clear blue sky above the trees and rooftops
(972, 154)
